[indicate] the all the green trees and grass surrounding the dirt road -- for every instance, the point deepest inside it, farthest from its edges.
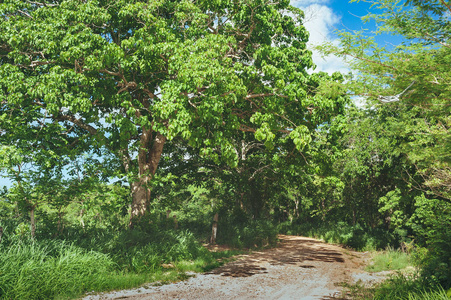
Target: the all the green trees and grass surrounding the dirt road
(135, 131)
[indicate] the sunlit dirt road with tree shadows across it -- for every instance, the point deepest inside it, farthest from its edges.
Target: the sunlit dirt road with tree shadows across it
(298, 268)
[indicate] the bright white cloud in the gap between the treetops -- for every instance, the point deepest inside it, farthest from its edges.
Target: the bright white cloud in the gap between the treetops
(320, 21)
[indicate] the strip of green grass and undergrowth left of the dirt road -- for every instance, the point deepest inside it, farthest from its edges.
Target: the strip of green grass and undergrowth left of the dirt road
(98, 261)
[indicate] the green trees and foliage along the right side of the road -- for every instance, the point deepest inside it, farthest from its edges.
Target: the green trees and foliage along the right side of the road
(411, 136)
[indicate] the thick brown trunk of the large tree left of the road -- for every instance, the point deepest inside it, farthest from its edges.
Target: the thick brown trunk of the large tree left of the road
(148, 158)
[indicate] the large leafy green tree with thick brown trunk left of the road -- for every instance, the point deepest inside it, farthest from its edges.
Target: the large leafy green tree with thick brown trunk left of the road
(129, 76)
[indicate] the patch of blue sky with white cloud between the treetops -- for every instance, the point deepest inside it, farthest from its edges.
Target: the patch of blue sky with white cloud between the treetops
(323, 17)
